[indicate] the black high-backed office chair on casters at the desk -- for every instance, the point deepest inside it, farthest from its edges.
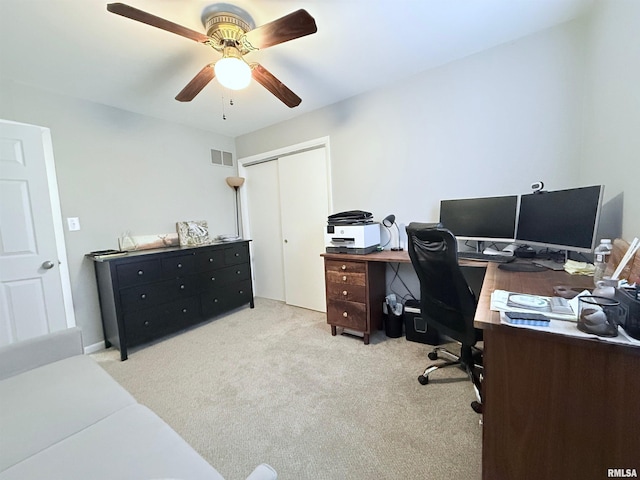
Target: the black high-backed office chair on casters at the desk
(446, 301)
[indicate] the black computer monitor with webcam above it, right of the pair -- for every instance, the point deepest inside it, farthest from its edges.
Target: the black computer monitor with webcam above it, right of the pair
(561, 219)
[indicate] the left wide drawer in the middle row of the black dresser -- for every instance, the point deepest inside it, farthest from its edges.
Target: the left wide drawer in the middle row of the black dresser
(151, 294)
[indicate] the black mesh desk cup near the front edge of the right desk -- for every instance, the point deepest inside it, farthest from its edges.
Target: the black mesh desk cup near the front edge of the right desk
(599, 315)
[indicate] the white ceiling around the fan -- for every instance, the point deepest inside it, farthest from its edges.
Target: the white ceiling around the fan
(77, 48)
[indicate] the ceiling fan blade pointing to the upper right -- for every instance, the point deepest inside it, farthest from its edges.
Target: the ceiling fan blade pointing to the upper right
(295, 25)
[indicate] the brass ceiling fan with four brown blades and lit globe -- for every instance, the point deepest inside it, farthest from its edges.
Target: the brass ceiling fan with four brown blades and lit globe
(230, 31)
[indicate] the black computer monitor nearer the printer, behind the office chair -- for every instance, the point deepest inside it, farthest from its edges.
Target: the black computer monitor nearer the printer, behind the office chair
(481, 219)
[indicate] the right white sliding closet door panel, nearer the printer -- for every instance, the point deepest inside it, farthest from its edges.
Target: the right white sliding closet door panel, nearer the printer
(304, 207)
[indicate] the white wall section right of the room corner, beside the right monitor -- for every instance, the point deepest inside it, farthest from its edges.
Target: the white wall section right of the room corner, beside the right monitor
(611, 144)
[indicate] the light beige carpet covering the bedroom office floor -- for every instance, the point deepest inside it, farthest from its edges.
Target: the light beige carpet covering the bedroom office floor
(271, 384)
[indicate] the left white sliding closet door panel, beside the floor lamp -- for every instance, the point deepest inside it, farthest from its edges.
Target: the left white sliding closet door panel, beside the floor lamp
(263, 198)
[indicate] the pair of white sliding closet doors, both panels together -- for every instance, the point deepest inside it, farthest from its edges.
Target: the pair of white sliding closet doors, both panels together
(288, 203)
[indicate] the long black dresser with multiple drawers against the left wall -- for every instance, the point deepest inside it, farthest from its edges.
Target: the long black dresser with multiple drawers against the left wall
(148, 294)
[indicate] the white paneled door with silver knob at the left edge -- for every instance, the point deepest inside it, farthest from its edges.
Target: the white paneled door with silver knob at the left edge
(34, 286)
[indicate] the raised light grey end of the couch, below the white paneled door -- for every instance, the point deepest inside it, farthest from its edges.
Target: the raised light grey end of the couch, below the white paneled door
(26, 355)
